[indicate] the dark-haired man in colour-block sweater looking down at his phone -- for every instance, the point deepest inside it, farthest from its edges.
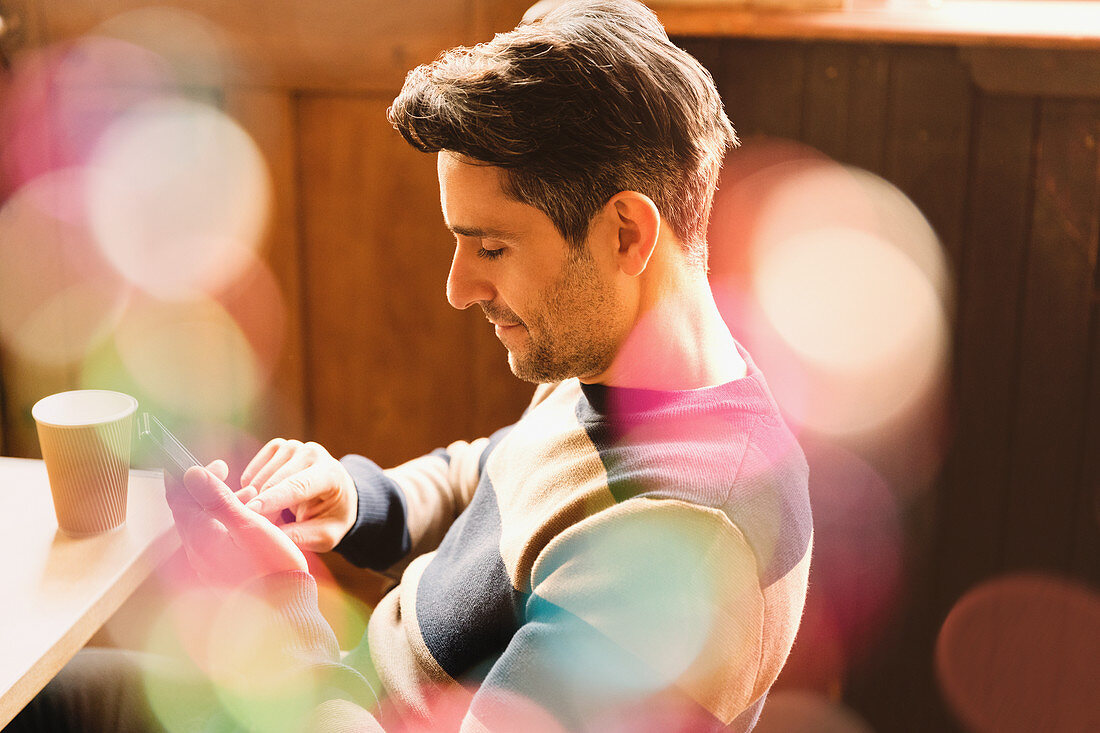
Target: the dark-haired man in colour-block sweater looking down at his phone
(633, 553)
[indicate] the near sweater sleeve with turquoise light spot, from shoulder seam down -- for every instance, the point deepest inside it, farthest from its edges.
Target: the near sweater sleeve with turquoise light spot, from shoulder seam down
(653, 608)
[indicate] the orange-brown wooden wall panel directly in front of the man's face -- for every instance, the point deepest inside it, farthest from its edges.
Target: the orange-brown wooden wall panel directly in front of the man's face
(389, 359)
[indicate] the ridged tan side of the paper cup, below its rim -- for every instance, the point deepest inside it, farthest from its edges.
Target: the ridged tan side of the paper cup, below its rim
(90, 473)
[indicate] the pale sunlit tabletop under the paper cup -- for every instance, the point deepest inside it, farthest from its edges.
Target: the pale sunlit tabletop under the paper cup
(57, 592)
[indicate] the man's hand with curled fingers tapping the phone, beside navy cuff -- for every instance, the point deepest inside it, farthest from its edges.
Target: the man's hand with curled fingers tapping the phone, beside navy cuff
(306, 479)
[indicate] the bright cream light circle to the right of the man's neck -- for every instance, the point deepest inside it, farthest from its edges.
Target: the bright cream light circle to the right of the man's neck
(866, 323)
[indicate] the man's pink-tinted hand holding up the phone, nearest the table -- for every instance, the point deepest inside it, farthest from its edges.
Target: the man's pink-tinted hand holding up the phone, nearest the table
(226, 543)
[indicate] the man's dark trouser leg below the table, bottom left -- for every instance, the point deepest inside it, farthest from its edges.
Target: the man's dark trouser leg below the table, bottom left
(112, 691)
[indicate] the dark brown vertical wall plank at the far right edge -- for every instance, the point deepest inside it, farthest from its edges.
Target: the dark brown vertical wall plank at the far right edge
(1050, 423)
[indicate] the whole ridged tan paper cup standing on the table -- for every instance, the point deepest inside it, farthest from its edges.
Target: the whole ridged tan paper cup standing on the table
(85, 437)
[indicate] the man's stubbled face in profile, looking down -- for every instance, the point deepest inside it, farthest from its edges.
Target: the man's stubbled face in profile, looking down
(556, 311)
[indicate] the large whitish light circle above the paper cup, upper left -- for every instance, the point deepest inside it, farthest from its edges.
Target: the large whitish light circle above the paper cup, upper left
(179, 198)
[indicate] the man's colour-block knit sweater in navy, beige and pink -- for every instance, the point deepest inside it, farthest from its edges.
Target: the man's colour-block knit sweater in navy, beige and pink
(614, 560)
